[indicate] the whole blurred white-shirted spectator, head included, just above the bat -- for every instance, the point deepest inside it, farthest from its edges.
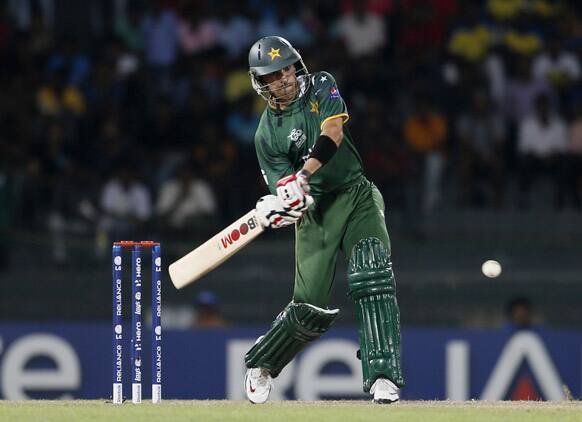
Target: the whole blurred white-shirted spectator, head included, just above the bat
(186, 202)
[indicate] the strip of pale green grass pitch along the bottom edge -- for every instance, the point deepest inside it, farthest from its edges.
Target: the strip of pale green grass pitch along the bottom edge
(317, 411)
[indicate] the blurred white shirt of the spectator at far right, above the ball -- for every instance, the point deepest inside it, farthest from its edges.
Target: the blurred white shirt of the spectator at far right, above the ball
(542, 141)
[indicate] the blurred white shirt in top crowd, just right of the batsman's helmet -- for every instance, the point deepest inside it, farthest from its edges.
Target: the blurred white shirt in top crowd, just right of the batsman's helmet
(362, 37)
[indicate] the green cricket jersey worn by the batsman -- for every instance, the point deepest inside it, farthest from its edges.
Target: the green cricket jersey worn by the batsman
(285, 138)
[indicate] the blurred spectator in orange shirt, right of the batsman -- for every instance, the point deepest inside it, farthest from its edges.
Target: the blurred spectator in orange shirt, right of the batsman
(426, 132)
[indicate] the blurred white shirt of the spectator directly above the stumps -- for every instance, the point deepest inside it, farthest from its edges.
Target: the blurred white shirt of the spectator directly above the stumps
(134, 202)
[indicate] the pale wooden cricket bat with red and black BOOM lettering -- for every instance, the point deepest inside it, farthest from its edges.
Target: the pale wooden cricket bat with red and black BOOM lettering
(216, 250)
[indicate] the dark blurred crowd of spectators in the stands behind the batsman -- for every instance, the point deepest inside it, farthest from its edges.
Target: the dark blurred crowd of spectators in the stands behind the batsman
(123, 117)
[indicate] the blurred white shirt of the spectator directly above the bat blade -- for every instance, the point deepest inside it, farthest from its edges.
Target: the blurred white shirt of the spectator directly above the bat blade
(198, 200)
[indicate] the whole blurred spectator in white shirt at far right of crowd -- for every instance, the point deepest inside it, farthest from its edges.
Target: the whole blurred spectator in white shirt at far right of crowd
(542, 143)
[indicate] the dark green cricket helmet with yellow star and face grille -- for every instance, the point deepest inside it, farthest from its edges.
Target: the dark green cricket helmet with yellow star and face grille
(271, 54)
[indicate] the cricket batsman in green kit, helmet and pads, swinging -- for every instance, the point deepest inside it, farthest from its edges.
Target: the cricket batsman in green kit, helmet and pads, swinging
(316, 178)
